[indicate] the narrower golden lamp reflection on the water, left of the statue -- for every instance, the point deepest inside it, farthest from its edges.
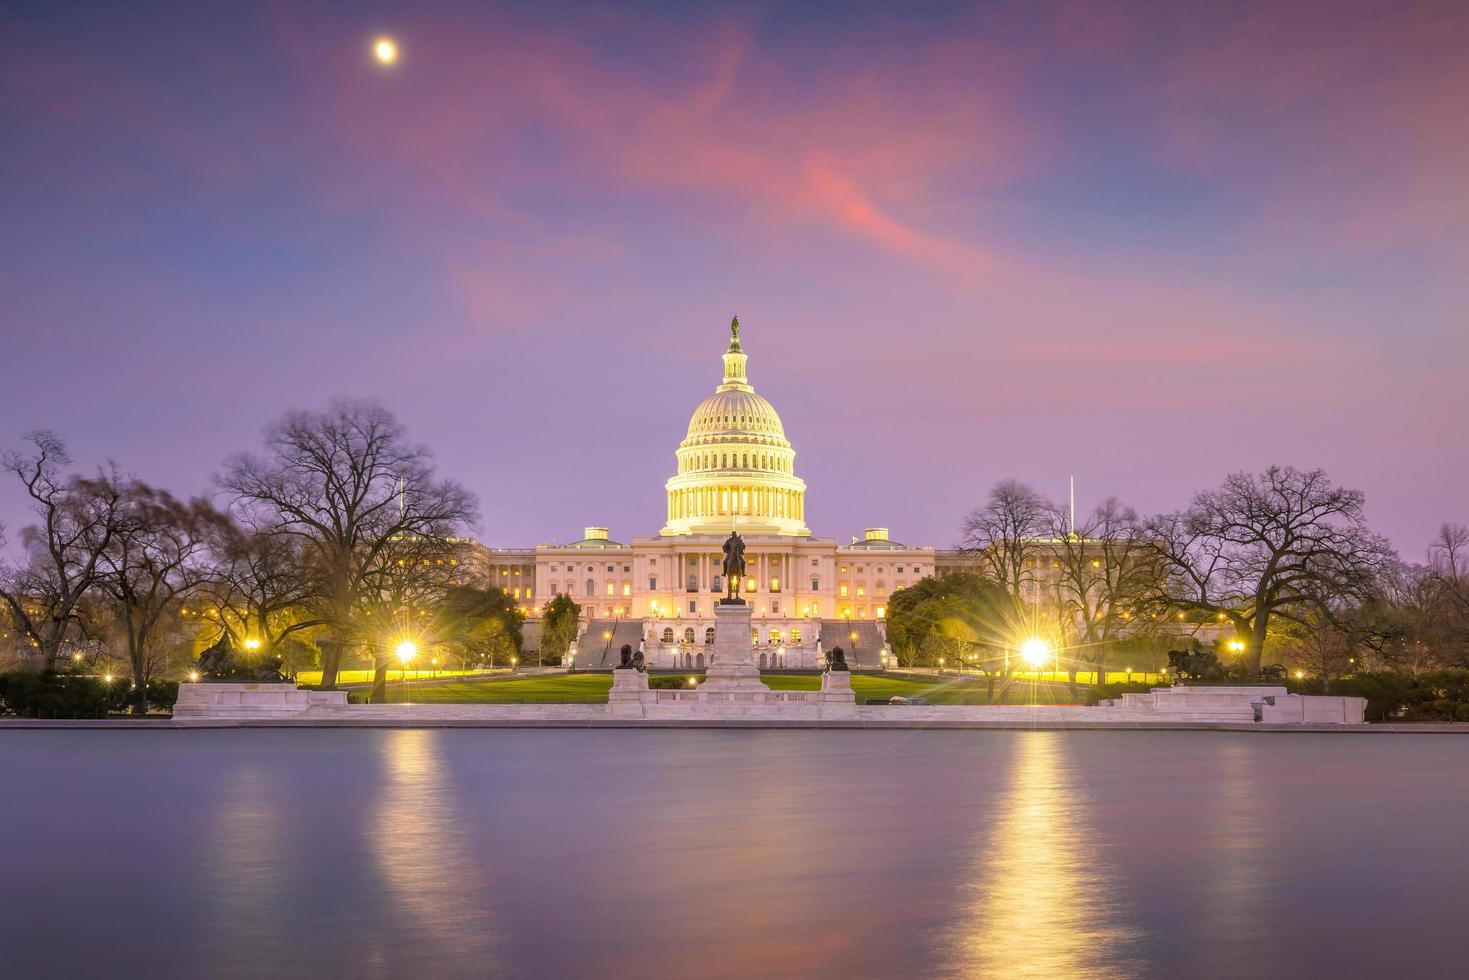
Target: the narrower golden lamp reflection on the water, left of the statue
(418, 825)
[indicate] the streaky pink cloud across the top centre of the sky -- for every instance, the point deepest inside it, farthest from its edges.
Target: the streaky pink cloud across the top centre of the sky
(854, 151)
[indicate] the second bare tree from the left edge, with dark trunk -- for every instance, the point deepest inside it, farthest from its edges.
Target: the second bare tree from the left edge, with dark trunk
(156, 559)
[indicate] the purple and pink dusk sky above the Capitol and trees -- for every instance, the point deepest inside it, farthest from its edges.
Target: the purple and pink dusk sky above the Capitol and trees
(1142, 245)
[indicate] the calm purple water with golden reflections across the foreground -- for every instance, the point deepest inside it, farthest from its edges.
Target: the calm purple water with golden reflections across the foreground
(710, 854)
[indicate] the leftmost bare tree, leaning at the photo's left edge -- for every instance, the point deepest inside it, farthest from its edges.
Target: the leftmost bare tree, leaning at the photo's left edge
(76, 525)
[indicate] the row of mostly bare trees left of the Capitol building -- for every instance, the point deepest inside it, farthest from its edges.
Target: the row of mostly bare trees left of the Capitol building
(337, 541)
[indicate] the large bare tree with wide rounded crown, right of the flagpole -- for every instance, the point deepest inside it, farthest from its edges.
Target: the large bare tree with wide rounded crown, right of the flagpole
(1282, 544)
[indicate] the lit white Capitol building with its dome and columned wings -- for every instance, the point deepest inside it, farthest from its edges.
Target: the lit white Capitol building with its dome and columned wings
(735, 472)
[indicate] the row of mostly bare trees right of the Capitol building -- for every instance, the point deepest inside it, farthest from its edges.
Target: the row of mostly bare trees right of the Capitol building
(1277, 566)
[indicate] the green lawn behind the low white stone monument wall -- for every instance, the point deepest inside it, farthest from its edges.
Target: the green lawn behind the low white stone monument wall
(593, 688)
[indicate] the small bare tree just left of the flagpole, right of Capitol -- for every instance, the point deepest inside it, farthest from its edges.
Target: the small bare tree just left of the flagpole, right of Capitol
(1004, 536)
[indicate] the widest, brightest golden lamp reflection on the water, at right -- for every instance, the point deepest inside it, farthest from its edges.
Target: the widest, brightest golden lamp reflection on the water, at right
(1044, 904)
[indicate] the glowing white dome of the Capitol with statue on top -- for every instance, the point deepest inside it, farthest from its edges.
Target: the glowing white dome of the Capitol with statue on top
(737, 471)
